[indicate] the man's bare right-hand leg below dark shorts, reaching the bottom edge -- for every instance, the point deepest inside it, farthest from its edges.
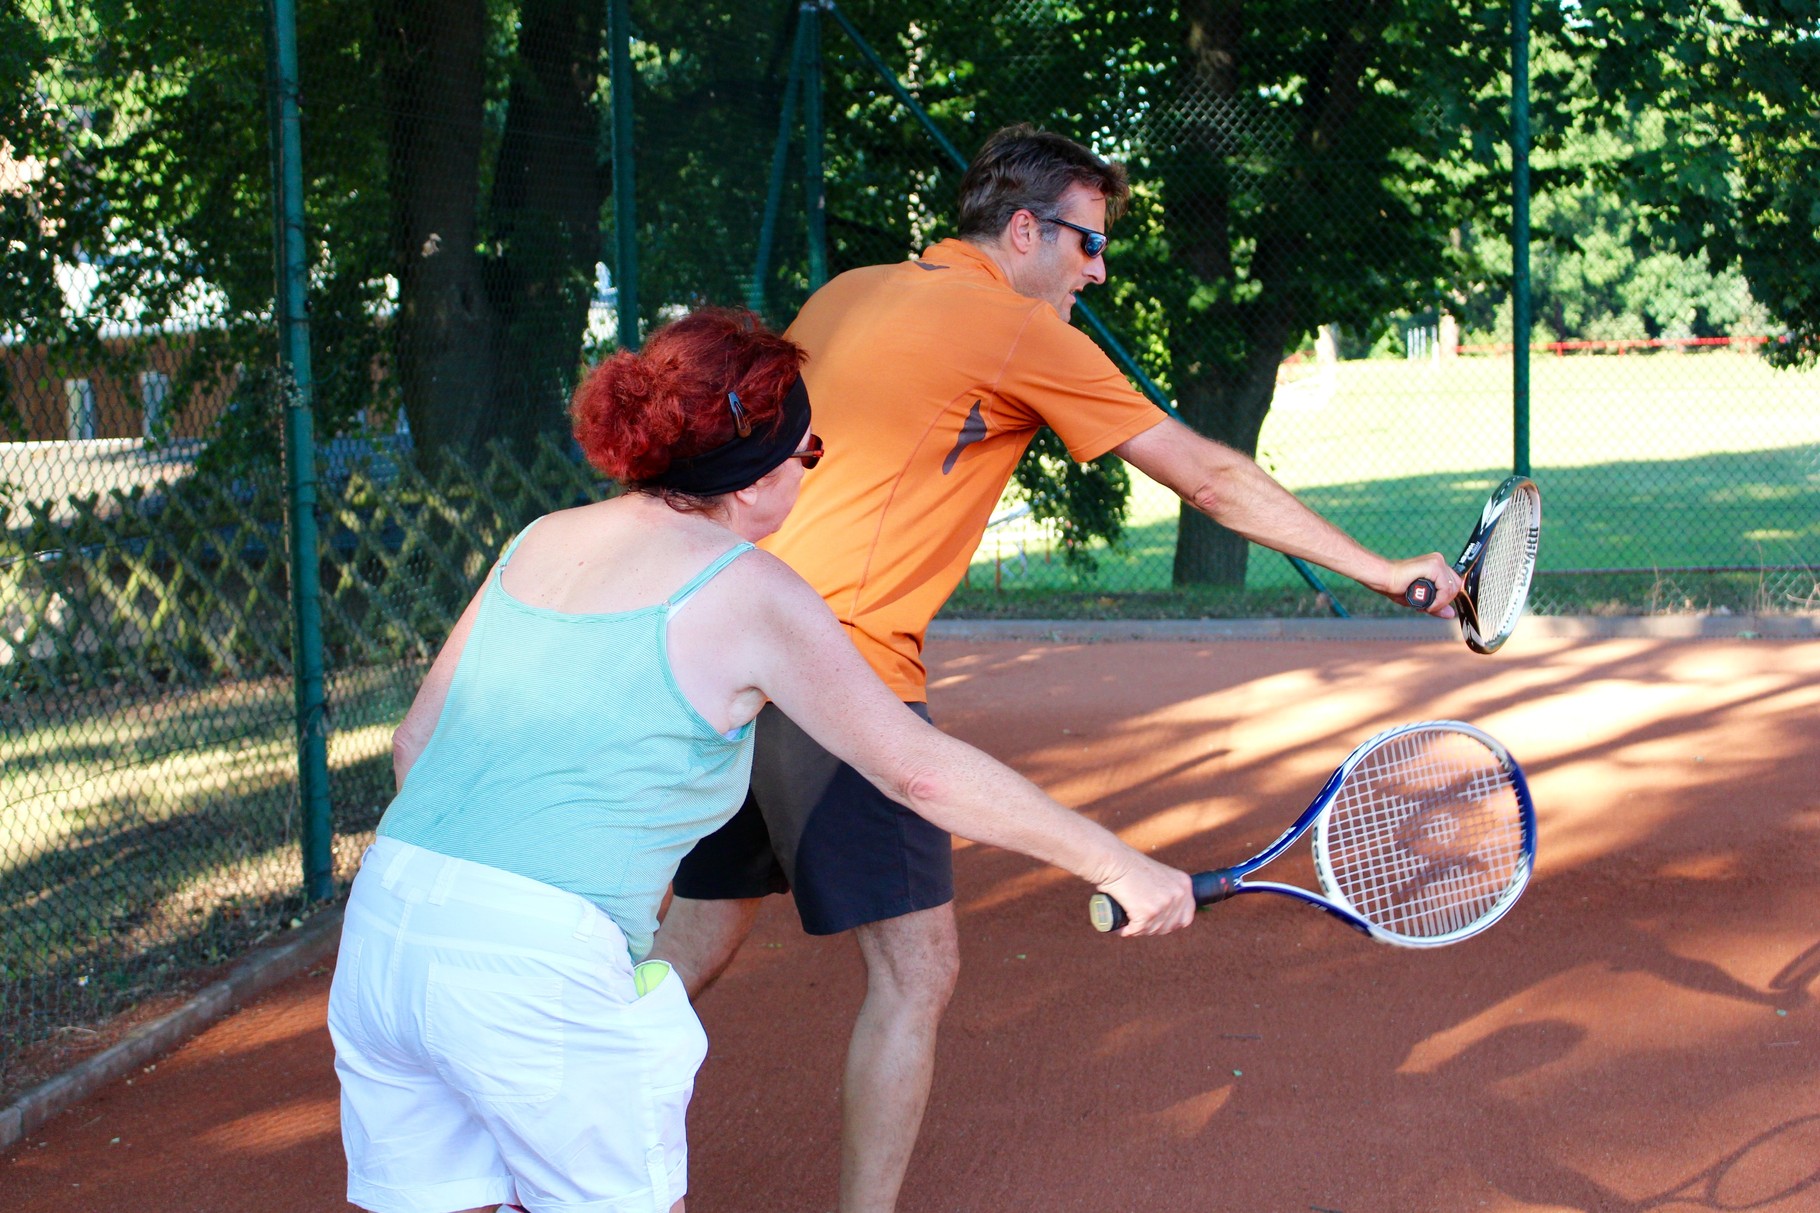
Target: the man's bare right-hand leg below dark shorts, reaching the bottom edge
(891, 1061)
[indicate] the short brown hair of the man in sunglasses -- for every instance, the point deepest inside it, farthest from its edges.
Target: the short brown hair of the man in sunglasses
(1022, 168)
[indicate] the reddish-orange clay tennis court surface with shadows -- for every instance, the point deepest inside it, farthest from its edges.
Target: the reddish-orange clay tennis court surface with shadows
(1641, 1034)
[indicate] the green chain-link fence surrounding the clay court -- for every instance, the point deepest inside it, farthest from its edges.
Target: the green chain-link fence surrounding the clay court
(1319, 267)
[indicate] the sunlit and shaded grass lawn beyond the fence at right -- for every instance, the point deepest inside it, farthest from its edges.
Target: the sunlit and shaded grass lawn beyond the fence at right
(1648, 464)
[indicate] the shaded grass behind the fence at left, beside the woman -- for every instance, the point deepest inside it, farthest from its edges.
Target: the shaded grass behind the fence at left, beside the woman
(147, 835)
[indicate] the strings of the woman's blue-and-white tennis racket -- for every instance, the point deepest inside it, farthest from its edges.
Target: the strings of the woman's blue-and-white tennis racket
(1426, 835)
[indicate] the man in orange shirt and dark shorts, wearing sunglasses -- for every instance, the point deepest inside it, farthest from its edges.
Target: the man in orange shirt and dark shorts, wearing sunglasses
(927, 382)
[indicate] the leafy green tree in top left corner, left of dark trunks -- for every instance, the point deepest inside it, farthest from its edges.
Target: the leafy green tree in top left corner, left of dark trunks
(148, 130)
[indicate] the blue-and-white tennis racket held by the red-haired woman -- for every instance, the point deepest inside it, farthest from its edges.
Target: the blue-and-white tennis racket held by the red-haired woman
(1426, 835)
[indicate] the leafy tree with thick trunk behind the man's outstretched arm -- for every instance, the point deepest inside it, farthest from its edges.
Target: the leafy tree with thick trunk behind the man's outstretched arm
(1313, 167)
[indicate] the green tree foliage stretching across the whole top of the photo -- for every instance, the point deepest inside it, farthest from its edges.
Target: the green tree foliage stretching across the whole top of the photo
(1295, 165)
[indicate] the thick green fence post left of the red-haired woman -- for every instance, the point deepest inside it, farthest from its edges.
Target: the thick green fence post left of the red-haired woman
(299, 447)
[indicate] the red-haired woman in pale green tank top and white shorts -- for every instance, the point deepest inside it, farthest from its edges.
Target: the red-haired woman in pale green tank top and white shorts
(589, 720)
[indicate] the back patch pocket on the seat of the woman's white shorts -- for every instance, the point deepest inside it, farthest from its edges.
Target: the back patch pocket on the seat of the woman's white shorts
(496, 1035)
